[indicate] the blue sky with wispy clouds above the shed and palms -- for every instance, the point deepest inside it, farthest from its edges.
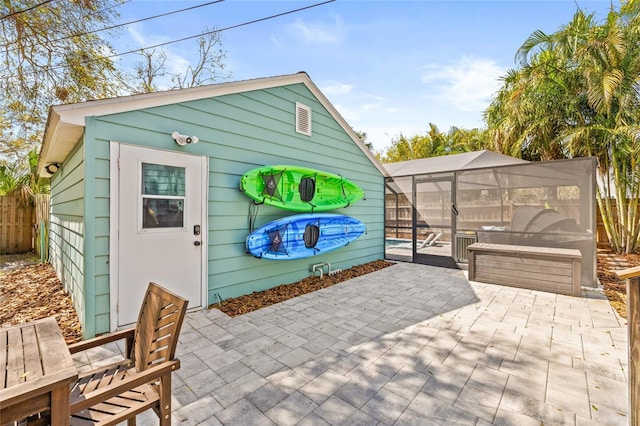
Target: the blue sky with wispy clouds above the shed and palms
(389, 67)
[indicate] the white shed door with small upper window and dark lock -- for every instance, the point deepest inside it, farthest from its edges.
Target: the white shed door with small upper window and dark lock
(160, 227)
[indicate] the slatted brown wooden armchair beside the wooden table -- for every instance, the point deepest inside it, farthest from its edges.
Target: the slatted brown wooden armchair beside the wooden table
(120, 391)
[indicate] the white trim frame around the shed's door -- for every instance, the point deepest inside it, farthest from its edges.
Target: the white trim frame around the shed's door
(114, 264)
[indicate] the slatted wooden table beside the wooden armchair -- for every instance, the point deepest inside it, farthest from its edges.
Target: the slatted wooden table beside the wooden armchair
(37, 372)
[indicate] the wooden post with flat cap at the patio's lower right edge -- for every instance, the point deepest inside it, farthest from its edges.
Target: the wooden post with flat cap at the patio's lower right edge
(632, 275)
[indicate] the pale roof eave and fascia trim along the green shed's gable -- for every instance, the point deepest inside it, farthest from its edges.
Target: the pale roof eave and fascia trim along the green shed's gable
(66, 123)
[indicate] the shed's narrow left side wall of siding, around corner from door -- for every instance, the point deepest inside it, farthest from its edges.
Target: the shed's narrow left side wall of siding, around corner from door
(67, 228)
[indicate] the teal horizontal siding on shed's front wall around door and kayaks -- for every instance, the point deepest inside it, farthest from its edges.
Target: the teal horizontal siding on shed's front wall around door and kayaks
(237, 132)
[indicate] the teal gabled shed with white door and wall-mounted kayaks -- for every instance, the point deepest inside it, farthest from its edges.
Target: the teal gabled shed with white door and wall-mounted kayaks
(104, 158)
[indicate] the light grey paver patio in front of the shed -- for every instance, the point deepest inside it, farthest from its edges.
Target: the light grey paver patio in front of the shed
(409, 344)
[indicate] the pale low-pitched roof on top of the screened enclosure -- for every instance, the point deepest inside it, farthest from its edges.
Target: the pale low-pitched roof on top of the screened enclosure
(451, 163)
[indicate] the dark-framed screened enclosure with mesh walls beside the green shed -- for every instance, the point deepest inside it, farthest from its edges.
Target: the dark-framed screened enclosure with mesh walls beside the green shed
(432, 215)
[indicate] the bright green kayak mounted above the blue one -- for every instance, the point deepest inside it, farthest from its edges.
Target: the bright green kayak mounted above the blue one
(299, 189)
